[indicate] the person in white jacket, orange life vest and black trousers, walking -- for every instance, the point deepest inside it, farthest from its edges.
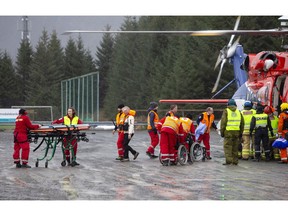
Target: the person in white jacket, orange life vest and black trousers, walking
(128, 133)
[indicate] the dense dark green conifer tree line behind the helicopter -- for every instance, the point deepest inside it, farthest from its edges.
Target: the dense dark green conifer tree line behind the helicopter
(134, 69)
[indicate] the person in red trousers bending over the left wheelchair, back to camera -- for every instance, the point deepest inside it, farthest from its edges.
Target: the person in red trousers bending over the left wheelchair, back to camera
(171, 134)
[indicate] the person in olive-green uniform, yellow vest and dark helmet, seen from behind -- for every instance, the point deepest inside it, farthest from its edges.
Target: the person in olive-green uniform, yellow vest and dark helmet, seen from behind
(232, 126)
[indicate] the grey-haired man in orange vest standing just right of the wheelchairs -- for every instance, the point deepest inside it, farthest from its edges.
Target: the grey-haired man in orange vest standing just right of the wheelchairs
(208, 119)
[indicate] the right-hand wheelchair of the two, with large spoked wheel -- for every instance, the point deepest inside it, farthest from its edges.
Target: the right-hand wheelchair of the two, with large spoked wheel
(197, 149)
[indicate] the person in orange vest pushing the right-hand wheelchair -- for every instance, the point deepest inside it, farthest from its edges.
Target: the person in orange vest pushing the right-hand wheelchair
(188, 129)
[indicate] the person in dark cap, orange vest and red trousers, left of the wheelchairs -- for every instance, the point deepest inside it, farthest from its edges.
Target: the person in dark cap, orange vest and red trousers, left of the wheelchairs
(152, 121)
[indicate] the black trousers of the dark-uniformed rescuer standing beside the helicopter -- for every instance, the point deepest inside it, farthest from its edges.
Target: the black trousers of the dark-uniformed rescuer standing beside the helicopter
(261, 134)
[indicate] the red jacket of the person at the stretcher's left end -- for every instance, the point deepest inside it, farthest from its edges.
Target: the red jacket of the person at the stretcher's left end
(22, 125)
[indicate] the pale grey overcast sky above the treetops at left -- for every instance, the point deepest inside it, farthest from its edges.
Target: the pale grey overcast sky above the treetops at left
(10, 29)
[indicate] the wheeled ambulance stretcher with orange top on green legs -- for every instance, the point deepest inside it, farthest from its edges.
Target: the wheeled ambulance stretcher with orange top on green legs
(53, 135)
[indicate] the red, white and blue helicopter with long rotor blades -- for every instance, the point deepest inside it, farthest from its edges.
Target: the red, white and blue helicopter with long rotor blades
(260, 78)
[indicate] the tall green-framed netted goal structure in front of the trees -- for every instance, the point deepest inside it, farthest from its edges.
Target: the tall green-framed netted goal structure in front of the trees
(82, 93)
